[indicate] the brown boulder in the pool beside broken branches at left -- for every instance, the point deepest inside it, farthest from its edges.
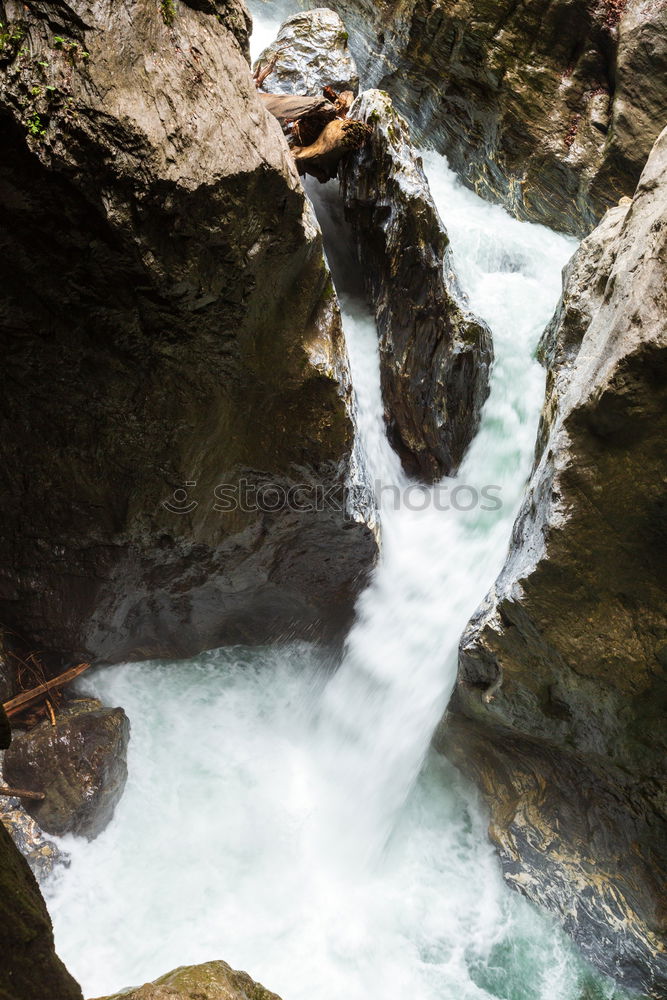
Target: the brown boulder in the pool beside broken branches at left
(80, 763)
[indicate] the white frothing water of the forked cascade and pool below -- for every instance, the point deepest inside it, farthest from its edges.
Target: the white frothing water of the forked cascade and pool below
(295, 824)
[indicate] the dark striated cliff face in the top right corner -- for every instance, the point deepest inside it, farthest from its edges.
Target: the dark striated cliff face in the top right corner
(551, 109)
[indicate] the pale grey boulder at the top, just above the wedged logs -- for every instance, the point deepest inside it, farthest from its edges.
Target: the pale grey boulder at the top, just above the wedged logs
(311, 52)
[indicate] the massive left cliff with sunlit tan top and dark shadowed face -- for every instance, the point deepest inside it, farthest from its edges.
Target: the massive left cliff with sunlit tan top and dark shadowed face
(169, 328)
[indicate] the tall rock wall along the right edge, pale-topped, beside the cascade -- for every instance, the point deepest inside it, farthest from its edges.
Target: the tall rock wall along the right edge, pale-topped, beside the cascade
(559, 709)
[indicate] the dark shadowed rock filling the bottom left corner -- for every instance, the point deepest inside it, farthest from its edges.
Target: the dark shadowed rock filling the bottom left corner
(29, 966)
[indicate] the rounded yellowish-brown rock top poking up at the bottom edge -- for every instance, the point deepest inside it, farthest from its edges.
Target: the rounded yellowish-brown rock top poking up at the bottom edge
(211, 981)
